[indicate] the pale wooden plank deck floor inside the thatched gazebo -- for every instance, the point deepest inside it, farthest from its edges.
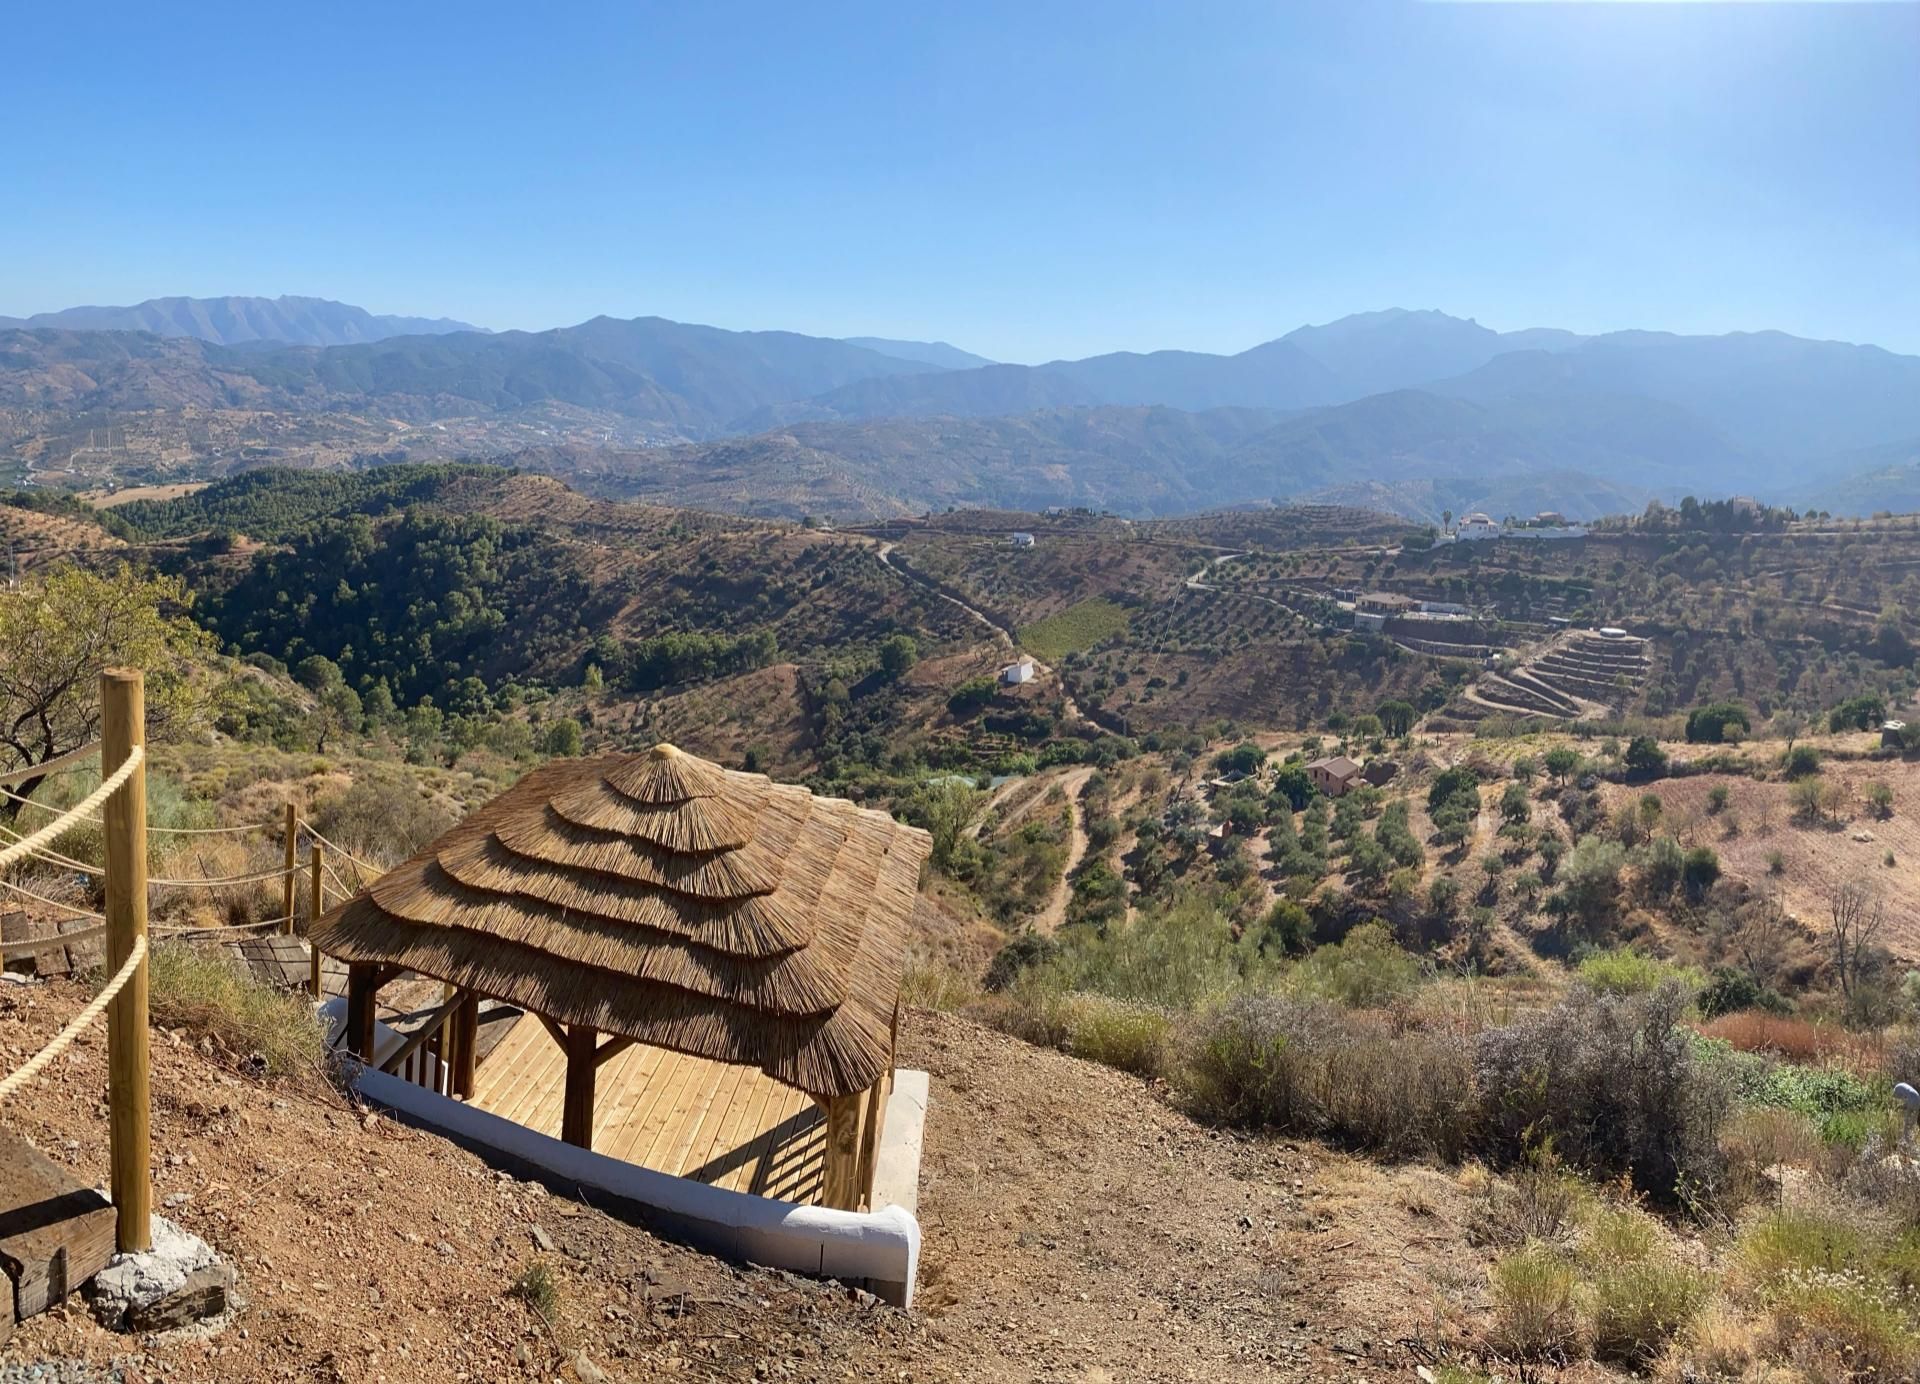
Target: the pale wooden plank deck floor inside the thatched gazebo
(715, 1124)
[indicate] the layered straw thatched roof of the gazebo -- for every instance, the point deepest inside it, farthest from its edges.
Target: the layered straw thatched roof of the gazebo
(671, 901)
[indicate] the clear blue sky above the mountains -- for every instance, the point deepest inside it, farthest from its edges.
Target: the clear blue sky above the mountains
(1028, 179)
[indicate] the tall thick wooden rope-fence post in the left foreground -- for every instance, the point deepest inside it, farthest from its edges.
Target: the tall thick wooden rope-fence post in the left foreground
(124, 728)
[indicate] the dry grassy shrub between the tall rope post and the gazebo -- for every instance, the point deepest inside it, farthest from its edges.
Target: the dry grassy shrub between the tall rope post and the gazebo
(208, 993)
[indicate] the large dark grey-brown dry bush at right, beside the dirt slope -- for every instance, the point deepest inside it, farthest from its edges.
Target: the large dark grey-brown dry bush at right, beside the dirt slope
(1614, 1082)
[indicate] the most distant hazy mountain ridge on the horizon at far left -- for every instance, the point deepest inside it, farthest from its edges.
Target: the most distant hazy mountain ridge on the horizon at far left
(233, 322)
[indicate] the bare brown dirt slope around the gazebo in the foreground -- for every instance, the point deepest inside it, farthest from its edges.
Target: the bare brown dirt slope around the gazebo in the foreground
(1076, 1228)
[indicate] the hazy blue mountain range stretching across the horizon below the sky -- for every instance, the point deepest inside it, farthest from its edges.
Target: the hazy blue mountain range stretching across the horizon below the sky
(1429, 408)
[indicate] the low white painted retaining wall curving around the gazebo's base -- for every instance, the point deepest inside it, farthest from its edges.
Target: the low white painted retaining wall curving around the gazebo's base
(878, 1251)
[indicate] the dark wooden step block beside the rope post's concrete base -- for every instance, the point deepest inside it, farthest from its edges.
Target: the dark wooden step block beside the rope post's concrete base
(55, 1231)
